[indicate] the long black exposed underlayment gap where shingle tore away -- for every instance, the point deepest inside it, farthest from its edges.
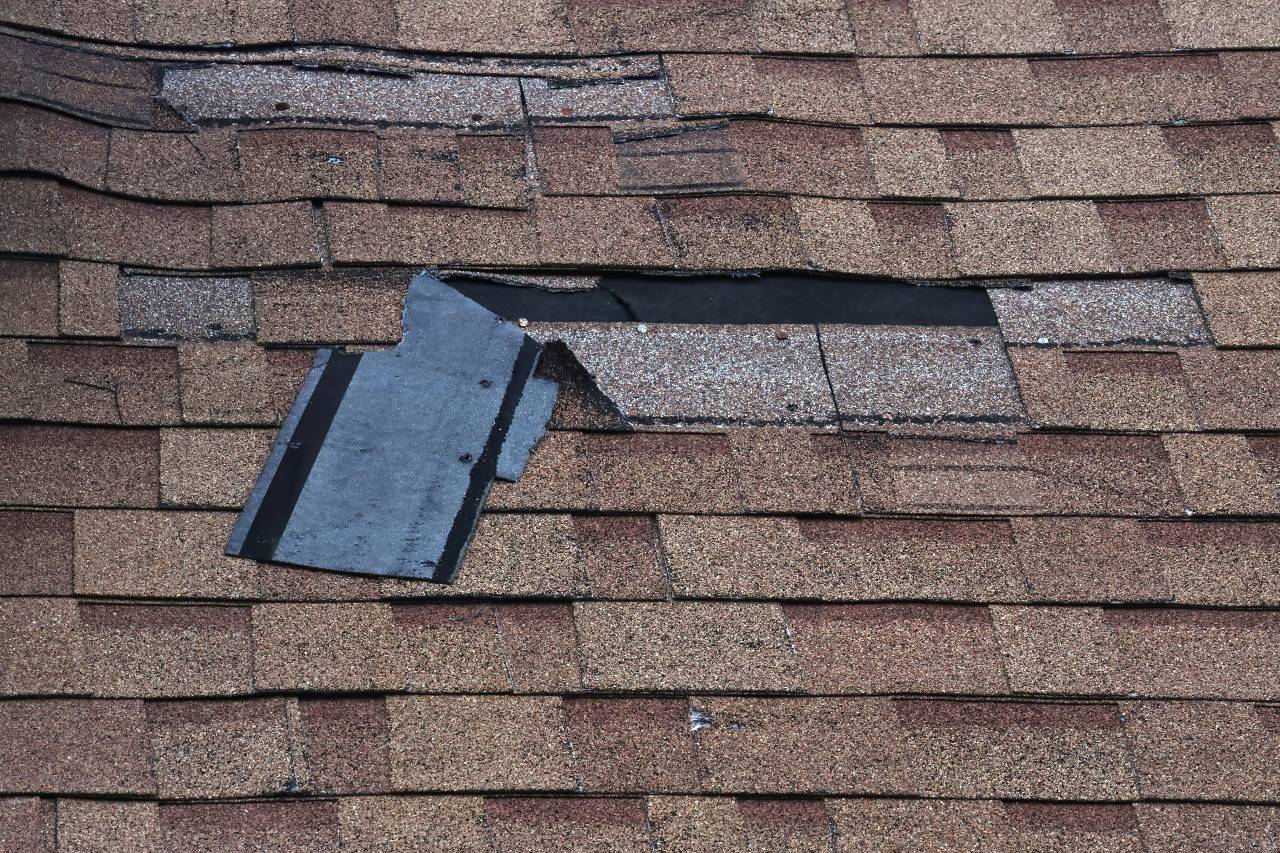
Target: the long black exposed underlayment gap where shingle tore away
(769, 299)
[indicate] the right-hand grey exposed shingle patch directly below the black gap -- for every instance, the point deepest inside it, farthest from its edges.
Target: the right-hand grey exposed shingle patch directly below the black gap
(911, 375)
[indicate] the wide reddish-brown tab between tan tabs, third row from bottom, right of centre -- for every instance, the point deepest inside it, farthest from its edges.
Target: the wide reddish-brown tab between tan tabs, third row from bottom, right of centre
(892, 649)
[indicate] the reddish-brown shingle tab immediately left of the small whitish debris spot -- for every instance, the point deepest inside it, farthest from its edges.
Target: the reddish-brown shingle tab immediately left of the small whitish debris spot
(632, 745)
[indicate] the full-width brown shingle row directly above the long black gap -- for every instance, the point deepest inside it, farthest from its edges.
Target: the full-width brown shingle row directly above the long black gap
(909, 240)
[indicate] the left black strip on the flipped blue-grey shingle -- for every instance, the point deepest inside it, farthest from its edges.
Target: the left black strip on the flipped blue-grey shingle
(300, 455)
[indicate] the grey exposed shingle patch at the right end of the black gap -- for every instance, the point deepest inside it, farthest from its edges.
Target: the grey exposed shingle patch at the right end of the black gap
(1101, 313)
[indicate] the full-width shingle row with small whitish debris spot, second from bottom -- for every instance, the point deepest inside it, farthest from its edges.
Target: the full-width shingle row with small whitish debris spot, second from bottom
(1096, 751)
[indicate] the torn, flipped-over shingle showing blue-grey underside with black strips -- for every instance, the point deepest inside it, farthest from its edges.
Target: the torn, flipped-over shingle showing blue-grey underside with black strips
(386, 459)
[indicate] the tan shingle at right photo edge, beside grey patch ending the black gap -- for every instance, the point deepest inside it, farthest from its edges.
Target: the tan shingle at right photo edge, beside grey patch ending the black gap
(1244, 309)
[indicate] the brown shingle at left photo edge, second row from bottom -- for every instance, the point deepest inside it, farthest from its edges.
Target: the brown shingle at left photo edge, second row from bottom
(75, 746)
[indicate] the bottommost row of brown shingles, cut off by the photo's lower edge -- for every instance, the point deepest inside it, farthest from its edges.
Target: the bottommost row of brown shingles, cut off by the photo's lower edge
(473, 824)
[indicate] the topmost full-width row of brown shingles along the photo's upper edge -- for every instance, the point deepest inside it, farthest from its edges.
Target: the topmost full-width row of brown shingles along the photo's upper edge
(579, 26)
